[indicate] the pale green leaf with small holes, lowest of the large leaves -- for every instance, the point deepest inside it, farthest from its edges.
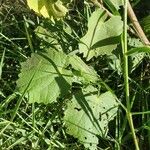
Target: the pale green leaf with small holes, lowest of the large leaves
(87, 115)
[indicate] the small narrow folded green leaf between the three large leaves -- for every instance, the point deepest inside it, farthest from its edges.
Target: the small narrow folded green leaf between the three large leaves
(83, 71)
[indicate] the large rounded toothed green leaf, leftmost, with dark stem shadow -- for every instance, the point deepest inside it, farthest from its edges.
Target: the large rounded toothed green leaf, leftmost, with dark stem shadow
(51, 79)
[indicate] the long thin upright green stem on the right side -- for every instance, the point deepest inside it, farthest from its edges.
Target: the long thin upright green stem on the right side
(126, 77)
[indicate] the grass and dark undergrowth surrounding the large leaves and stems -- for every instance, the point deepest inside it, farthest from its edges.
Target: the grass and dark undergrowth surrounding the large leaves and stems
(39, 126)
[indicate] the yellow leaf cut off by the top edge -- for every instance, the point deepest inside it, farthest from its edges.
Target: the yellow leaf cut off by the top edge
(48, 8)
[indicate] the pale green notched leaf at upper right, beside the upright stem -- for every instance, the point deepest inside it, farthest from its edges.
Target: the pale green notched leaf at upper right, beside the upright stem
(102, 35)
